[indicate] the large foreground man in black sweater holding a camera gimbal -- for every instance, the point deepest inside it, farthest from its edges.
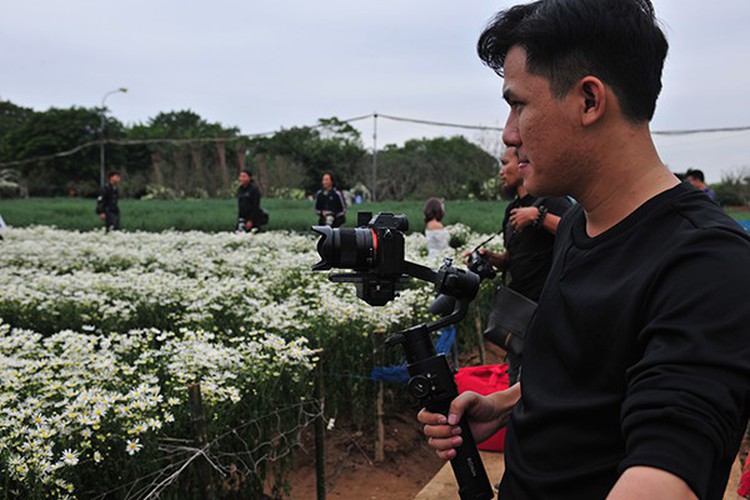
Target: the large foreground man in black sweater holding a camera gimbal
(636, 380)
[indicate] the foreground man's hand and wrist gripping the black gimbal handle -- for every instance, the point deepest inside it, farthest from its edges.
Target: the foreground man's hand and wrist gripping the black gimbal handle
(486, 414)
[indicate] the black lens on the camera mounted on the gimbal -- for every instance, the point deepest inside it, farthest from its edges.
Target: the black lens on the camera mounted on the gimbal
(346, 248)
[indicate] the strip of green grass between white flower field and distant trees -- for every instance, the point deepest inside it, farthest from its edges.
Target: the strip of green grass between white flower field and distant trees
(217, 215)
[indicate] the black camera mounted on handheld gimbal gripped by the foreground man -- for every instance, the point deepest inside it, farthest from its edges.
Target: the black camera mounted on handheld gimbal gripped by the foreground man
(375, 251)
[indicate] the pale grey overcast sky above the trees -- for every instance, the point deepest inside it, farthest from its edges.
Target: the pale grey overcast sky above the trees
(266, 65)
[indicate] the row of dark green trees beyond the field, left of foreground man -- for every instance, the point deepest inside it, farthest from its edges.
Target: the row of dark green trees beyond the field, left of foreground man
(178, 154)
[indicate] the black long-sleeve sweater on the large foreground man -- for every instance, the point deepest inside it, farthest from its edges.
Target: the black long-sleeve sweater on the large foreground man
(639, 354)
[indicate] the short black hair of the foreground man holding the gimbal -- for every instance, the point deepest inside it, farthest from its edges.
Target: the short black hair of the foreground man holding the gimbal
(617, 41)
